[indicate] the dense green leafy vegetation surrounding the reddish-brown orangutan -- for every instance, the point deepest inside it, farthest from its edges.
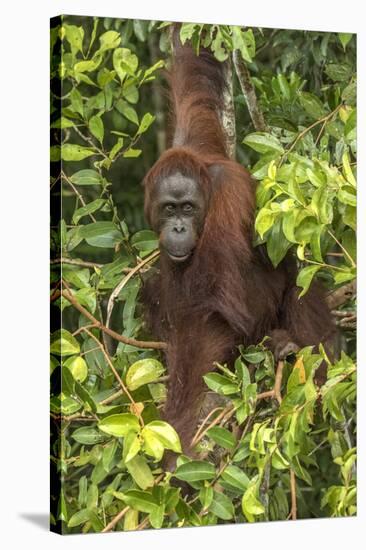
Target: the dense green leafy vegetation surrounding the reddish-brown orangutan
(277, 446)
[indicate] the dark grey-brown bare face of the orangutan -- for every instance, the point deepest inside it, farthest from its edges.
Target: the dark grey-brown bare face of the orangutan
(178, 216)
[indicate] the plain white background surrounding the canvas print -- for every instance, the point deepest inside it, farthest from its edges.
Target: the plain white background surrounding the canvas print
(24, 171)
